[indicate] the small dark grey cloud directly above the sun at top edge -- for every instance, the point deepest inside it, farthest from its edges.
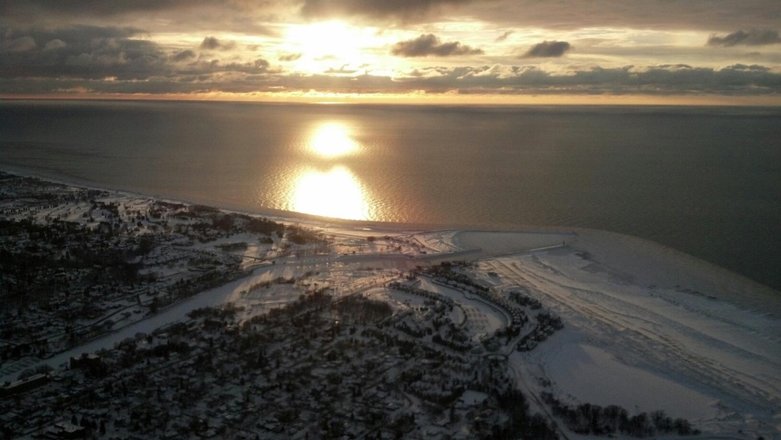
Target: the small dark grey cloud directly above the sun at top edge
(405, 10)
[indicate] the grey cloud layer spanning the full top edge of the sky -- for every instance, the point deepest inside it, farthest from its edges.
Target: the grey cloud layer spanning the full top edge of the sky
(246, 15)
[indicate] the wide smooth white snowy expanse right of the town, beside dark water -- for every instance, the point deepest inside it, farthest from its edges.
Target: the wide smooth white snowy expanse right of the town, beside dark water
(647, 328)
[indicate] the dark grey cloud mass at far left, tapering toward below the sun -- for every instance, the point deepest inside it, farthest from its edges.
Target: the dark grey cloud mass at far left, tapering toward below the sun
(89, 54)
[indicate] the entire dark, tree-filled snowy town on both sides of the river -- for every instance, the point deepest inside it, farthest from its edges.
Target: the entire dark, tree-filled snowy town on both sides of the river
(318, 334)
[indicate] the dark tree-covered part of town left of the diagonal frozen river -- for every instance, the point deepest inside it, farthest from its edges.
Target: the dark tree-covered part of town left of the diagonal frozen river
(78, 263)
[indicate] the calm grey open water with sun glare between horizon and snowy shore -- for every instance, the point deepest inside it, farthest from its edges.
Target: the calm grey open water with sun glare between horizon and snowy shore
(706, 181)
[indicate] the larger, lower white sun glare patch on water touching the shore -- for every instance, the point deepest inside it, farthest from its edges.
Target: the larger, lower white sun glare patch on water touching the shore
(333, 193)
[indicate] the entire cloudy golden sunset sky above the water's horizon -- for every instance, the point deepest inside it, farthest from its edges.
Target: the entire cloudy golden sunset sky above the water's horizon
(437, 51)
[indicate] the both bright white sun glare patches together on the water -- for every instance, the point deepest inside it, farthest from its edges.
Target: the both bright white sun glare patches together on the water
(332, 189)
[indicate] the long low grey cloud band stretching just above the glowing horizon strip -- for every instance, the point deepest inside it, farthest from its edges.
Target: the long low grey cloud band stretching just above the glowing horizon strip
(258, 76)
